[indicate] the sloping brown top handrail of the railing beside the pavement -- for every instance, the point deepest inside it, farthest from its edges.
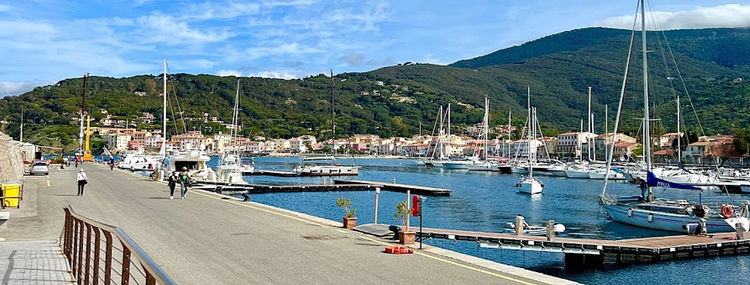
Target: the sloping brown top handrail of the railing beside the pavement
(148, 264)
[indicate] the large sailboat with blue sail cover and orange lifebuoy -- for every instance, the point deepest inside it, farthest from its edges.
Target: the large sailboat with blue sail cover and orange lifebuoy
(646, 210)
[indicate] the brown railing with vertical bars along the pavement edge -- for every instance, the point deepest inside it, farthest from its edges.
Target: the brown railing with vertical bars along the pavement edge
(99, 253)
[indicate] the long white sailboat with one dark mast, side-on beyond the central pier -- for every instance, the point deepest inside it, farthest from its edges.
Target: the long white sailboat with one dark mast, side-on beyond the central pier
(333, 169)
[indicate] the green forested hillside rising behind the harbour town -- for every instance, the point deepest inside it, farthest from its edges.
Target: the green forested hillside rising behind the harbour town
(394, 100)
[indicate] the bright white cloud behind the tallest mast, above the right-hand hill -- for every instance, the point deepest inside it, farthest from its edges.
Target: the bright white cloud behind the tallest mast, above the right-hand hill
(722, 16)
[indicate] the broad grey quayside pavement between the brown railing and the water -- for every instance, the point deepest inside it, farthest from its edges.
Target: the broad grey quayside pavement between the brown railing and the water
(209, 239)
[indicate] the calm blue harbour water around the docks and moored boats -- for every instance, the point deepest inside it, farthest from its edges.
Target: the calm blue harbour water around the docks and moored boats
(486, 201)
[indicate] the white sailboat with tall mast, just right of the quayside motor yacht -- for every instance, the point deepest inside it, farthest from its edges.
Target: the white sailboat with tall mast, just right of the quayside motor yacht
(230, 168)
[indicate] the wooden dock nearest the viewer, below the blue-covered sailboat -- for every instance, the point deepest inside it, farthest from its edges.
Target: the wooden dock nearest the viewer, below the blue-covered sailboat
(585, 253)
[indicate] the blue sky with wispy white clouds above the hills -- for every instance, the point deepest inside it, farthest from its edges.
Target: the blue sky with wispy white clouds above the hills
(42, 41)
